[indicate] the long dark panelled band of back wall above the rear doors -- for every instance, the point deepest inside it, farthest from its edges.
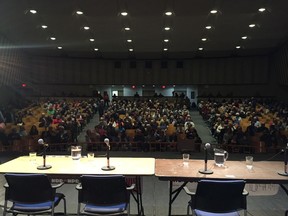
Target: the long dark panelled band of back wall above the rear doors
(220, 71)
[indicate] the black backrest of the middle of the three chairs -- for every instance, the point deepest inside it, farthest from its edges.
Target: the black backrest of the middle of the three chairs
(103, 189)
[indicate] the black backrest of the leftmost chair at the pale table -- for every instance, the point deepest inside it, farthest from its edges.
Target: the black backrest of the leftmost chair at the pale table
(29, 188)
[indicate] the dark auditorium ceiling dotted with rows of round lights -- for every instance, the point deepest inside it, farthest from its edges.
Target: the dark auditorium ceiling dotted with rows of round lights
(146, 20)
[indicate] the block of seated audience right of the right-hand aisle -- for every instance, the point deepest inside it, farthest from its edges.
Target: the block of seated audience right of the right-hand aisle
(265, 117)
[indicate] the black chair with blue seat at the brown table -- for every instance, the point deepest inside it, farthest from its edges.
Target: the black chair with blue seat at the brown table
(215, 197)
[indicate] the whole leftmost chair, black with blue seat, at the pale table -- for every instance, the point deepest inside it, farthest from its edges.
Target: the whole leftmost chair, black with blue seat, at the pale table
(31, 194)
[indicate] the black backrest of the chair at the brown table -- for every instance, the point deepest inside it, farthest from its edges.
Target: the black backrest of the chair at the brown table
(219, 196)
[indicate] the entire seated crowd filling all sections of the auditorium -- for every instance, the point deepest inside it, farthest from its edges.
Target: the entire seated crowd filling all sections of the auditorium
(231, 121)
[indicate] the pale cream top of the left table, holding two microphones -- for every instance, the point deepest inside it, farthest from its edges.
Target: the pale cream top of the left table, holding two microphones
(65, 165)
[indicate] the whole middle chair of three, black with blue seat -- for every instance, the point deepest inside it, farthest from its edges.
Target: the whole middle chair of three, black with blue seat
(103, 195)
